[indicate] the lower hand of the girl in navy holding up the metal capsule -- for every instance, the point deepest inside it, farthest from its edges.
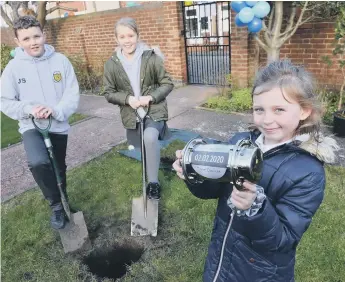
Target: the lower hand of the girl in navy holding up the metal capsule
(244, 199)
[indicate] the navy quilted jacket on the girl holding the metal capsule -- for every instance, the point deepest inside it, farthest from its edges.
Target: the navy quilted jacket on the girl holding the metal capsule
(262, 247)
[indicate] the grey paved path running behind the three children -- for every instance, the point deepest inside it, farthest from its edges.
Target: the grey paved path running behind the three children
(103, 130)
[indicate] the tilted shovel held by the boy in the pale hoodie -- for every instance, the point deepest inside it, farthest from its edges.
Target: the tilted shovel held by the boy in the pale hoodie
(74, 236)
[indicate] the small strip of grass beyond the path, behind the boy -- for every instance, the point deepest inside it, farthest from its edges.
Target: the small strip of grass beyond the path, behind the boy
(9, 129)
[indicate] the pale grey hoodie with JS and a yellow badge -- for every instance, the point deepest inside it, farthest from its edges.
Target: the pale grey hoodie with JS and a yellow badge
(48, 80)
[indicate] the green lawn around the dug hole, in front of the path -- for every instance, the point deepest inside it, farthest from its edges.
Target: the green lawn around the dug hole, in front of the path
(103, 190)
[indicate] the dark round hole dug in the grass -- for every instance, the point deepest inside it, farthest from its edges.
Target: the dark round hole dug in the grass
(113, 263)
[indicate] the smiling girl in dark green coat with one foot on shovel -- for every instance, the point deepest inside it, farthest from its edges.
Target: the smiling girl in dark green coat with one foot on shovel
(135, 77)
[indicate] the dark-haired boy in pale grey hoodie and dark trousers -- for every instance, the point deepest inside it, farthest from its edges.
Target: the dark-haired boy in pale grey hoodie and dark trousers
(40, 82)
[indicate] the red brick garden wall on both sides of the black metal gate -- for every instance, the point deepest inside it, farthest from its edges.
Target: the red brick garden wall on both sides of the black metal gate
(161, 24)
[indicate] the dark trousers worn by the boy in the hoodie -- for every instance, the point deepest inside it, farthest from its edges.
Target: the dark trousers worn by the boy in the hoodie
(40, 164)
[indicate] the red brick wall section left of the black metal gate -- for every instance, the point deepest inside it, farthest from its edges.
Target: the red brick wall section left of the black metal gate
(92, 35)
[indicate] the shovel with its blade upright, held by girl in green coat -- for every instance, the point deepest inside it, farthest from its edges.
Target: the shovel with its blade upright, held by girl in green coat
(144, 211)
